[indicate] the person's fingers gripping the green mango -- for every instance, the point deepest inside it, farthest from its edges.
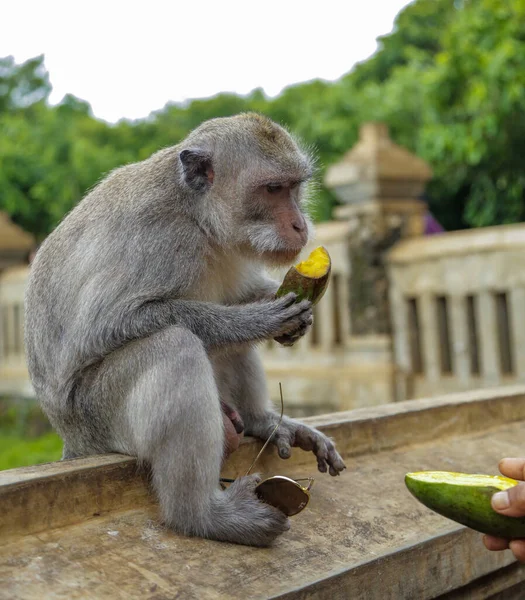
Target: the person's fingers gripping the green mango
(510, 503)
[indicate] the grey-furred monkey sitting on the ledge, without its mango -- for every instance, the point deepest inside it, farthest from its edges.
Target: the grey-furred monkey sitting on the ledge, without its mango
(143, 307)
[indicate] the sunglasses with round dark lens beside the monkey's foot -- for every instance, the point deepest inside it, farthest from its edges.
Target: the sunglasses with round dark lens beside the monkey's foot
(286, 494)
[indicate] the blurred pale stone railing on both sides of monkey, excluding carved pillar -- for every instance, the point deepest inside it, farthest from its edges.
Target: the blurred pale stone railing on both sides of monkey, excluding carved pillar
(456, 305)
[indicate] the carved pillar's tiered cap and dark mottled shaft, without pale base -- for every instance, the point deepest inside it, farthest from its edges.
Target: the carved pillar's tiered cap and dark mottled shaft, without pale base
(379, 185)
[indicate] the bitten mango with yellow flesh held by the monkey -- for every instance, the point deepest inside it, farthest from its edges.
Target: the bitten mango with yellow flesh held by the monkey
(309, 278)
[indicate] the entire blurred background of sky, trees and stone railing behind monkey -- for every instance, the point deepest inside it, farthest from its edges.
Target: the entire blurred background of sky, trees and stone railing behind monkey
(416, 112)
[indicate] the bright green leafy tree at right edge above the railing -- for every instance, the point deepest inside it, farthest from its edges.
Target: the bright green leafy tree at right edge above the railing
(474, 134)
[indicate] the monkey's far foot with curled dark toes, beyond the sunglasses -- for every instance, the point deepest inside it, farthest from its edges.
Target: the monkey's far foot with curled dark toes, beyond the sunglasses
(291, 433)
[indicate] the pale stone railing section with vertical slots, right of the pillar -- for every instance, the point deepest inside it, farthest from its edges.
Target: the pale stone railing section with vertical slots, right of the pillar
(458, 311)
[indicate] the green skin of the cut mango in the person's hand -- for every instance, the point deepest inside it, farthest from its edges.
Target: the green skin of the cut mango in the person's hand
(468, 505)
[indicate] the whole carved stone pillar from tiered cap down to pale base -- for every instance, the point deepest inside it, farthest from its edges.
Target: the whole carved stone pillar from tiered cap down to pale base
(379, 185)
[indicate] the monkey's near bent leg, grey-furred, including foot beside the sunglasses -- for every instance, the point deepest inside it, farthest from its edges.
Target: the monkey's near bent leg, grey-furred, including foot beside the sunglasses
(172, 419)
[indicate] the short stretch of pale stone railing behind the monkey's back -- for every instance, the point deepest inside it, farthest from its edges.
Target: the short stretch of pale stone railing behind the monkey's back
(13, 371)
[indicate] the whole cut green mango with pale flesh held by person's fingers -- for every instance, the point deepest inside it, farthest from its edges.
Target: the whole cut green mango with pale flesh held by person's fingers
(465, 498)
